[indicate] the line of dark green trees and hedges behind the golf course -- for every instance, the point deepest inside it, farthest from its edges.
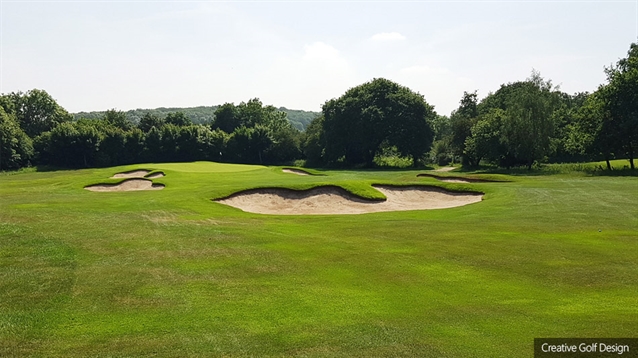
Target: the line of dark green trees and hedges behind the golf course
(520, 124)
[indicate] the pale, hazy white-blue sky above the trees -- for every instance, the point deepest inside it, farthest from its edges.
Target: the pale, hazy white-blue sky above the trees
(99, 55)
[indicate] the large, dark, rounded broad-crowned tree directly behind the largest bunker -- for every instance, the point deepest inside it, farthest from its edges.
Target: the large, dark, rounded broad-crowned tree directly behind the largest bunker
(376, 113)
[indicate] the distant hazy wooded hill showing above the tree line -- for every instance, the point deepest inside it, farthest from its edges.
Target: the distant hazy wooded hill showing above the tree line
(202, 115)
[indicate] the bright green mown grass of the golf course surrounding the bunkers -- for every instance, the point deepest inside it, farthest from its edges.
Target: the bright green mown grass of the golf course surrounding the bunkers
(172, 273)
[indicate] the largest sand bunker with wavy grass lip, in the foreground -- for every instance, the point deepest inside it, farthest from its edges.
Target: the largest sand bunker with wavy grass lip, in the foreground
(334, 200)
